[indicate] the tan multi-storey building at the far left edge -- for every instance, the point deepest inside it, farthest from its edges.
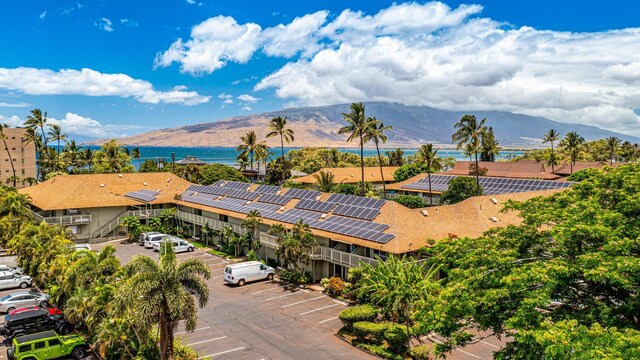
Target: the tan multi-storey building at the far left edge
(23, 155)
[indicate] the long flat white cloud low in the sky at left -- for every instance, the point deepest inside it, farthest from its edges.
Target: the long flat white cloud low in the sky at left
(89, 82)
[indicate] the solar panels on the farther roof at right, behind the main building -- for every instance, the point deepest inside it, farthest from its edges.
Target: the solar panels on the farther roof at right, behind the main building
(490, 185)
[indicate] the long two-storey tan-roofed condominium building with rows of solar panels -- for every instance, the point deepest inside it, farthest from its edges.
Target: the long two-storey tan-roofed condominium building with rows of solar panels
(348, 229)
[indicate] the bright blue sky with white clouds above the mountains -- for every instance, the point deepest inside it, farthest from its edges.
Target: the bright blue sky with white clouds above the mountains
(121, 67)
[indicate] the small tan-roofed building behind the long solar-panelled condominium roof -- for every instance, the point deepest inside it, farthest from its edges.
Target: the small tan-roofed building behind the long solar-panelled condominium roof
(353, 175)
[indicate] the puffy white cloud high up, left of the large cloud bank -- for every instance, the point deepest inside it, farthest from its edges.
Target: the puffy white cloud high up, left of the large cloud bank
(213, 43)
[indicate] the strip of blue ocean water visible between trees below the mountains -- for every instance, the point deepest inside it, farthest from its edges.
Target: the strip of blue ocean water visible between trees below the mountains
(225, 155)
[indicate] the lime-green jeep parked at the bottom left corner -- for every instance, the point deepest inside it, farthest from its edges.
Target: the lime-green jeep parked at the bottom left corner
(47, 345)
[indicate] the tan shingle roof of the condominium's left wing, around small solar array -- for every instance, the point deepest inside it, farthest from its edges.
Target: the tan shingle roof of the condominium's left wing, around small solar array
(84, 191)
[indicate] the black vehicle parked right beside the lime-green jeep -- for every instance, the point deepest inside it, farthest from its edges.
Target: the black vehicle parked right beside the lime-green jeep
(34, 321)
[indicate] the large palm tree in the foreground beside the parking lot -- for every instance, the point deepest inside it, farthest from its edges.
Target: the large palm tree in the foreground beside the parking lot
(163, 293)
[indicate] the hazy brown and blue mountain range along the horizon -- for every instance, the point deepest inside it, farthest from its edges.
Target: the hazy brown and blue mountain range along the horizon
(318, 126)
